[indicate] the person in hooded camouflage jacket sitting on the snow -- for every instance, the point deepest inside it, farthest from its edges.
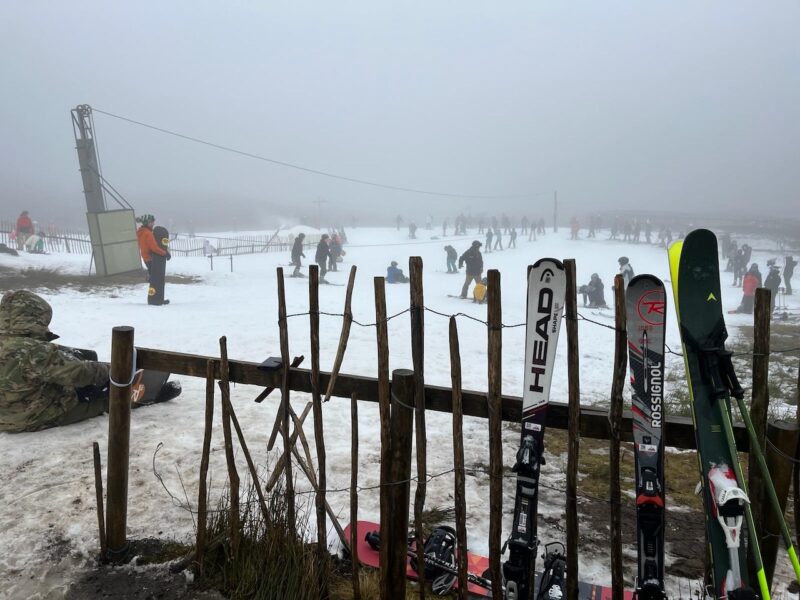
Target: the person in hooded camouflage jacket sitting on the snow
(40, 381)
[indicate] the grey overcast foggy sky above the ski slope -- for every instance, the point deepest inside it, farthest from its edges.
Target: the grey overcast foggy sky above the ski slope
(681, 105)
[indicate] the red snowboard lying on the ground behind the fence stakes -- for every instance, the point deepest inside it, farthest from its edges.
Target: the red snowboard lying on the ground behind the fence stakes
(476, 565)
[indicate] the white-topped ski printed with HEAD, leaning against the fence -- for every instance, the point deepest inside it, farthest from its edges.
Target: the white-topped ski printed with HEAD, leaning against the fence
(546, 293)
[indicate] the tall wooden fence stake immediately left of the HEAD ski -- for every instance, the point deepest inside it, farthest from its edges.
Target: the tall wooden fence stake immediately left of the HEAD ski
(495, 380)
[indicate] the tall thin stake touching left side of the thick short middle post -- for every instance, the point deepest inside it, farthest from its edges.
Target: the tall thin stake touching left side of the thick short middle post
(384, 401)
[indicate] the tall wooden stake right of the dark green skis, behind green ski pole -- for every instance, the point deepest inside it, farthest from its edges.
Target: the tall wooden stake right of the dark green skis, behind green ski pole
(758, 413)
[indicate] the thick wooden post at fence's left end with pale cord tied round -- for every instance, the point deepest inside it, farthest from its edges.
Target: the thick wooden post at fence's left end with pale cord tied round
(119, 438)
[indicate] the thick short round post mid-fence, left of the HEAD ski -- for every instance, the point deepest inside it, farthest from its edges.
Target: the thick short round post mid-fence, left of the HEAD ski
(394, 530)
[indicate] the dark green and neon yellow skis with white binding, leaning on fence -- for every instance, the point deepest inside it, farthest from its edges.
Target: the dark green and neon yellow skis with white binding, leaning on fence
(694, 269)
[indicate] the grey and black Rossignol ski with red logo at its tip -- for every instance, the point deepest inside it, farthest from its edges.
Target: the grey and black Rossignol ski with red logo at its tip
(645, 305)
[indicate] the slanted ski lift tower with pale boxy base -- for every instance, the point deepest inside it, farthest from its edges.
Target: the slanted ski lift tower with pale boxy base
(112, 232)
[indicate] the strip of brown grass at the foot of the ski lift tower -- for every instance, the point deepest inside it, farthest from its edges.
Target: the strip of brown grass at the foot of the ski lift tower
(41, 278)
